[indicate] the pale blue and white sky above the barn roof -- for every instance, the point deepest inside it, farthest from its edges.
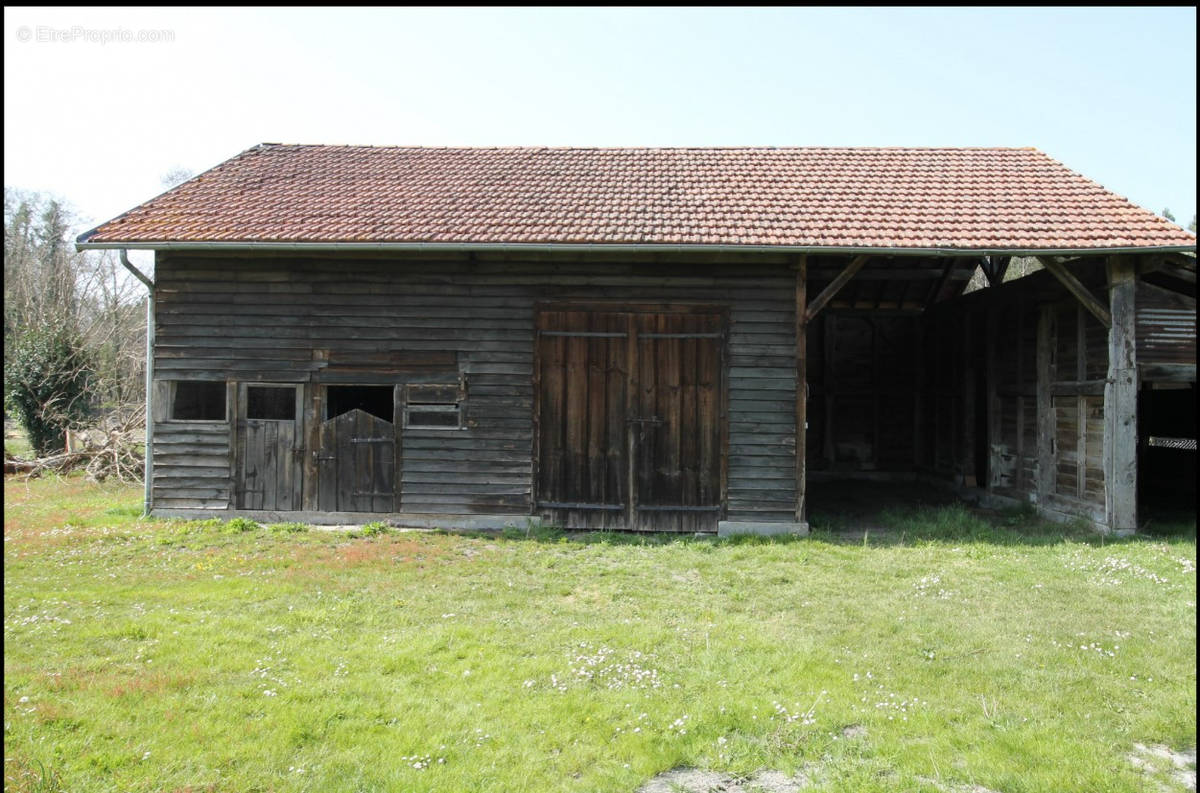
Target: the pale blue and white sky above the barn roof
(1109, 92)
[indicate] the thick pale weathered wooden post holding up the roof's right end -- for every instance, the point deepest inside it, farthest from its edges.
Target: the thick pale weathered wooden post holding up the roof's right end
(1121, 399)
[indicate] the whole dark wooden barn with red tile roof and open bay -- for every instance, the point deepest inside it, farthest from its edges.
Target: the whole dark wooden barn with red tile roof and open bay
(681, 340)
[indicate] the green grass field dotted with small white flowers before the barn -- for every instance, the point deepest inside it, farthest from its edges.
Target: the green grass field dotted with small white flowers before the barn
(953, 653)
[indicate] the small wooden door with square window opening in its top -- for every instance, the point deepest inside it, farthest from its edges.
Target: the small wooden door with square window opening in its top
(271, 452)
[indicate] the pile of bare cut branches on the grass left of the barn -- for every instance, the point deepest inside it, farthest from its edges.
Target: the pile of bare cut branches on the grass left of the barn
(115, 449)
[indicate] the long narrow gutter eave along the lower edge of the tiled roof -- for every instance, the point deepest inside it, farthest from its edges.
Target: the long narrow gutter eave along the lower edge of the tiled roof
(620, 249)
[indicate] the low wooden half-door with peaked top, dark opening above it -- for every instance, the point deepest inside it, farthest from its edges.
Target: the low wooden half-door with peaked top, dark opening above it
(357, 465)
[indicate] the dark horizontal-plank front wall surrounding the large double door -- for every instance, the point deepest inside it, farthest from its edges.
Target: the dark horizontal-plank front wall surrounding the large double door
(375, 321)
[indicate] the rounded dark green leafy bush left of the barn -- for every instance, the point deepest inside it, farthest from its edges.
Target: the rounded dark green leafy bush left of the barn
(47, 379)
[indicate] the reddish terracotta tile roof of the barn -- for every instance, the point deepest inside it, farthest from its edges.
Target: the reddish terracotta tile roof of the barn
(895, 199)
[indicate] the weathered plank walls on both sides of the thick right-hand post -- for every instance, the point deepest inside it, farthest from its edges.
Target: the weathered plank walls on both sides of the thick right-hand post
(1046, 365)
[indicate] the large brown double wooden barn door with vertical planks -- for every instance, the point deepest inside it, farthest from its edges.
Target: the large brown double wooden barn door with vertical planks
(632, 418)
